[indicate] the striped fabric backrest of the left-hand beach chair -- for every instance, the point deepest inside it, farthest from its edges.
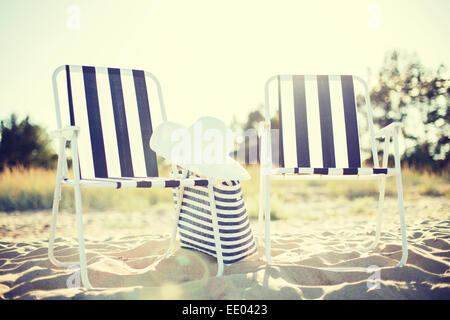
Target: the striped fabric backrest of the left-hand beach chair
(111, 107)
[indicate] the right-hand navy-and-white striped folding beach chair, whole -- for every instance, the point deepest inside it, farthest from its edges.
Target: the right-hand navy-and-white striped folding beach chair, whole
(319, 139)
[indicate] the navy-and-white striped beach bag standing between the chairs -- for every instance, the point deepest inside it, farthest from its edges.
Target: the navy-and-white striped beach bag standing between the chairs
(195, 223)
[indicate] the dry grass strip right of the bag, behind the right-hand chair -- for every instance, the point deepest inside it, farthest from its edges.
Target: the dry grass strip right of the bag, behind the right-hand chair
(358, 196)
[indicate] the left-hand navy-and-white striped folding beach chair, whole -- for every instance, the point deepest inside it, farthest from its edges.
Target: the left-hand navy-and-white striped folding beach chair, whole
(109, 117)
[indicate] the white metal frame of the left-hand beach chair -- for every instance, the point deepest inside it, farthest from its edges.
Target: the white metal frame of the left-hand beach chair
(70, 133)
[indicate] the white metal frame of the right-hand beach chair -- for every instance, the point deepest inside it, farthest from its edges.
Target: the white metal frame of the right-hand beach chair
(389, 132)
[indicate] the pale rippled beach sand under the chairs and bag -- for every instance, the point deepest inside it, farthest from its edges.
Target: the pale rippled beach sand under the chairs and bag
(120, 245)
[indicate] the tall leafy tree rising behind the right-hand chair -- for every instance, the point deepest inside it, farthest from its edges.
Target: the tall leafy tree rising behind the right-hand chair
(419, 98)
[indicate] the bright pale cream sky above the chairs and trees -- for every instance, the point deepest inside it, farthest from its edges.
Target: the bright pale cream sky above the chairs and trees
(212, 57)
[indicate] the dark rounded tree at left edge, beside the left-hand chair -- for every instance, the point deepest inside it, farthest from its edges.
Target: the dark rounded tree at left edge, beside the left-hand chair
(24, 144)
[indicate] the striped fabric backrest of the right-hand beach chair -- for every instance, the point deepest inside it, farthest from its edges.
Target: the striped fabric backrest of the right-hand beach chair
(318, 121)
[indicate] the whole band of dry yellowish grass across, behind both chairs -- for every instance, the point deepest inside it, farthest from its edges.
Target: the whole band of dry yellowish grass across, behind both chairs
(22, 190)
